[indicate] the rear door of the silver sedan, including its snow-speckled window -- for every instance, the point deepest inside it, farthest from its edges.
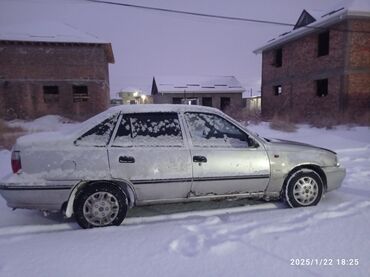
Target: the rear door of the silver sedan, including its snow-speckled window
(149, 150)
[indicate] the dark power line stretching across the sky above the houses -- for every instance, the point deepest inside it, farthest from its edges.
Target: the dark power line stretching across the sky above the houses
(243, 19)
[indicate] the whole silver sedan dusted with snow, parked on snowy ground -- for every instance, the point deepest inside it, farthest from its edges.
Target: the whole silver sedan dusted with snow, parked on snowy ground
(147, 154)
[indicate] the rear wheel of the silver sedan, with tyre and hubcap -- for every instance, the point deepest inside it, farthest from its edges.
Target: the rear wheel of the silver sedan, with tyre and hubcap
(100, 205)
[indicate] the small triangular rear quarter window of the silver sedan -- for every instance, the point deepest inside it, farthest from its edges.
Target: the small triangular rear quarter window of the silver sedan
(98, 135)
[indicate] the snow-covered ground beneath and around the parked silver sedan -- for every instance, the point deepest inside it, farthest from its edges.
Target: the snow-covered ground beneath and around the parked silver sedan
(229, 238)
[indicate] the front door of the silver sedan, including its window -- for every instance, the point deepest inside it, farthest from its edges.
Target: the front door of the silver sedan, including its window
(225, 159)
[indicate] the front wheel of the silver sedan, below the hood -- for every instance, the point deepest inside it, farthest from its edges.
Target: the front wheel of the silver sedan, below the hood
(303, 188)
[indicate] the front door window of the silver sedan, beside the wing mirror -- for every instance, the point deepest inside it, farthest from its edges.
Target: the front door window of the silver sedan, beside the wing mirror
(210, 130)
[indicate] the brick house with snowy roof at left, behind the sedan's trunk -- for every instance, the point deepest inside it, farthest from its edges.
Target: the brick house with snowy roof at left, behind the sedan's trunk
(52, 69)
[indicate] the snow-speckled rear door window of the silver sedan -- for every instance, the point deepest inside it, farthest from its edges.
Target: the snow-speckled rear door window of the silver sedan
(149, 129)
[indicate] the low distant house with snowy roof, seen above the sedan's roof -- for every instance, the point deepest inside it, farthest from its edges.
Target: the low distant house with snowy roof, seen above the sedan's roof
(220, 92)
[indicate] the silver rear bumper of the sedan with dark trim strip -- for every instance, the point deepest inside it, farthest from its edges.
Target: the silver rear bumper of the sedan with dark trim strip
(47, 196)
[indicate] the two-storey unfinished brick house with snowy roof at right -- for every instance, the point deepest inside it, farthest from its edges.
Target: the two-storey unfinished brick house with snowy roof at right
(321, 68)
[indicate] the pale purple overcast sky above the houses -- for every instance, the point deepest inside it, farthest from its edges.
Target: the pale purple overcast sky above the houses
(151, 43)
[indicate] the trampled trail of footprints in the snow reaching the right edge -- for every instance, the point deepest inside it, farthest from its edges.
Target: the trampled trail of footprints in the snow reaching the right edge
(220, 238)
